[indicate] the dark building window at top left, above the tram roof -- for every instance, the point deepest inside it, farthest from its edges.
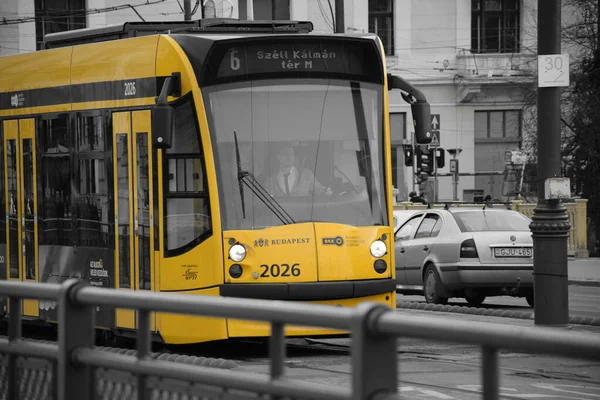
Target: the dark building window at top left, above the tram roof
(53, 16)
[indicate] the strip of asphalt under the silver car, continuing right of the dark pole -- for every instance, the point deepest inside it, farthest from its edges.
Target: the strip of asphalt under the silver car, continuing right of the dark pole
(584, 301)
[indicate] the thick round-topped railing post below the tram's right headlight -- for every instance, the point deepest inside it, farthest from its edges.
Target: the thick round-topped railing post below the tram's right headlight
(374, 356)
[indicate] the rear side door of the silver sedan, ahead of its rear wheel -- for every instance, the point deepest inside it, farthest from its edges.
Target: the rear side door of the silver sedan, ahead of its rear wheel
(419, 248)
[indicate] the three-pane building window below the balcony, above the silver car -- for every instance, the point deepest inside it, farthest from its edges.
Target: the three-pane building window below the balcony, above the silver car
(498, 124)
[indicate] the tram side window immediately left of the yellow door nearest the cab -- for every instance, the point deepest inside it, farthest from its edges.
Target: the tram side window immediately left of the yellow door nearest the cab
(91, 199)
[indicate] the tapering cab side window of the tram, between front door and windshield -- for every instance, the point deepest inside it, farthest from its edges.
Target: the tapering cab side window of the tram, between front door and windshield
(187, 211)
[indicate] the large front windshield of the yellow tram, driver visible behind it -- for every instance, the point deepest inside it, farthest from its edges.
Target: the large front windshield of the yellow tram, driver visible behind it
(313, 146)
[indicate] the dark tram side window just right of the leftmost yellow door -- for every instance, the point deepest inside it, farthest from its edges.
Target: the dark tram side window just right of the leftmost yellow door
(56, 224)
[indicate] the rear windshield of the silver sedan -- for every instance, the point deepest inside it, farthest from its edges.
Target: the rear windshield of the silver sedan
(482, 221)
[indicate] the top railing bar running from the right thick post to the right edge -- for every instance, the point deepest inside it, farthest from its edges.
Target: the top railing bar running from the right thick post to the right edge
(528, 339)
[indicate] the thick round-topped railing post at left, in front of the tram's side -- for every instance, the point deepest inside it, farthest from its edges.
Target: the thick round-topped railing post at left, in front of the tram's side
(76, 329)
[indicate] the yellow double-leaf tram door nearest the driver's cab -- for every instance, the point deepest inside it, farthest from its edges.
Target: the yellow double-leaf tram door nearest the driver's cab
(134, 220)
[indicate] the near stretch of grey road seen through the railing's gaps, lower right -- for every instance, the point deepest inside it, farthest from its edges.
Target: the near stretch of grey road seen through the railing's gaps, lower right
(429, 370)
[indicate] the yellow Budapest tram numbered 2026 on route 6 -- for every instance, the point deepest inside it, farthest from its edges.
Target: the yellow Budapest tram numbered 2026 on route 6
(217, 158)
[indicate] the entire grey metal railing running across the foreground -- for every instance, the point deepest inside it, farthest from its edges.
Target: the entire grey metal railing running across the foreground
(374, 330)
